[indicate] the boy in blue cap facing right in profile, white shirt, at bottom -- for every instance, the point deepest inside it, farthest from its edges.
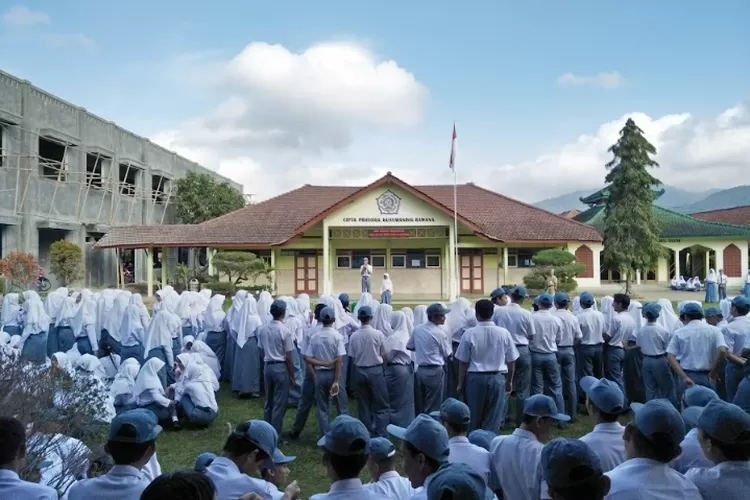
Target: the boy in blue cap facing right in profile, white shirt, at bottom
(515, 458)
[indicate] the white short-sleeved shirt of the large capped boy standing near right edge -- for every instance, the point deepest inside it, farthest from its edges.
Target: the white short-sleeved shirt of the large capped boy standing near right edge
(695, 345)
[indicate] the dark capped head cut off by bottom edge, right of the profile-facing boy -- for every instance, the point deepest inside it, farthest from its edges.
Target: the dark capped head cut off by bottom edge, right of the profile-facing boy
(572, 471)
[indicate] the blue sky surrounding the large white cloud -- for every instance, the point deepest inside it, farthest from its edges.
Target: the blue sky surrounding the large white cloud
(493, 67)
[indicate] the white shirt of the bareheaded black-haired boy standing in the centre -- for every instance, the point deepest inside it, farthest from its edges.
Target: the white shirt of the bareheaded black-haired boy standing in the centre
(487, 348)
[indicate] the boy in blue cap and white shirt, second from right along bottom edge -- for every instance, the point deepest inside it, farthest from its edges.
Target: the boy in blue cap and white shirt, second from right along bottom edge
(652, 440)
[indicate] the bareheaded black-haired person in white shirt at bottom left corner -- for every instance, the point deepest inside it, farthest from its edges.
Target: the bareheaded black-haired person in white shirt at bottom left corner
(12, 460)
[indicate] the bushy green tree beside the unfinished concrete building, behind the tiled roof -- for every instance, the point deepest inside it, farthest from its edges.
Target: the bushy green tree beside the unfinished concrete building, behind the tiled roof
(200, 198)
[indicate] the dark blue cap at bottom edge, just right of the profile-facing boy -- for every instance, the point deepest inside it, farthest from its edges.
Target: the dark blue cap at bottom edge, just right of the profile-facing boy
(569, 462)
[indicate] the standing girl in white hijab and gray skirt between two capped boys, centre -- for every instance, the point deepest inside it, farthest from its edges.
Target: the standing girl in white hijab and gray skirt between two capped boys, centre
(399, 371)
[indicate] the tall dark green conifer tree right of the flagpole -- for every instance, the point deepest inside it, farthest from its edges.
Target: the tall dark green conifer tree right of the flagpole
(631, 232)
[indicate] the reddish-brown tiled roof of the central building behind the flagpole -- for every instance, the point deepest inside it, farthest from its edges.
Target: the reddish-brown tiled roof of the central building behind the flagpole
(278, 220)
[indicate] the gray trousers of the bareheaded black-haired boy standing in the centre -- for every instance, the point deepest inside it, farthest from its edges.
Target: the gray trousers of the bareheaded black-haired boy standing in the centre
(485, 397)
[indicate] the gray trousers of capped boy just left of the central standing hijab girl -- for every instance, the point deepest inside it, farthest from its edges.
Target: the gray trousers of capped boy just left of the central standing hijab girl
(371, 392)
